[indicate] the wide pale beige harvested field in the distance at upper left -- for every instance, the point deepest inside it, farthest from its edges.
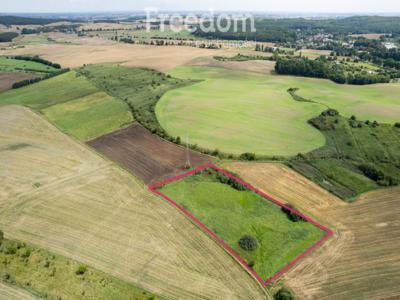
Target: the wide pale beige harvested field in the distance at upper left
(95, 50)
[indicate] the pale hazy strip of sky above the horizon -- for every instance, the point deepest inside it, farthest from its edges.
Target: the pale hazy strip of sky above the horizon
(303, 6)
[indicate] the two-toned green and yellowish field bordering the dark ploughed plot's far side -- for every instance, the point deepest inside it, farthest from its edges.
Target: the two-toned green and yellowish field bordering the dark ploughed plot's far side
(74, 104)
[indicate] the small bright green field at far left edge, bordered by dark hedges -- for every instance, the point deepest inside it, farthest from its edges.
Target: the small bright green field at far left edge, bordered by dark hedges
(12, 65)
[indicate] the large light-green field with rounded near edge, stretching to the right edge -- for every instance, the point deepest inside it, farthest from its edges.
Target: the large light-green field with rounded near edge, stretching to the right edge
(240, 112)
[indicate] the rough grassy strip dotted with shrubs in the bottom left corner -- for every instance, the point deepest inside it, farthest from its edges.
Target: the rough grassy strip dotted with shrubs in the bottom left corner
(50, 276)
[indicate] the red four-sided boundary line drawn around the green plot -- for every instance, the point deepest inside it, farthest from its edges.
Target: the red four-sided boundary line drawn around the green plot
(329, 232)
